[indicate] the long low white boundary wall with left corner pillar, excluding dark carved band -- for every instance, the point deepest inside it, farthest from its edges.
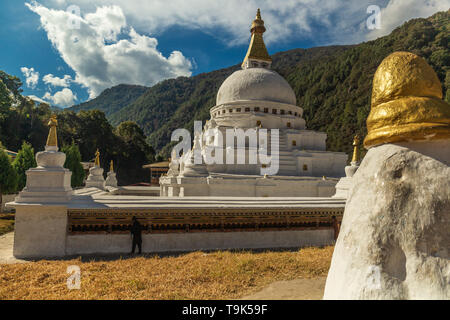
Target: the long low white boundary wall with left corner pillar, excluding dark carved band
(41, 230)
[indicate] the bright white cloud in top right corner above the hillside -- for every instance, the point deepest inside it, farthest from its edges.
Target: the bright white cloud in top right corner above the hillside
(400, 11)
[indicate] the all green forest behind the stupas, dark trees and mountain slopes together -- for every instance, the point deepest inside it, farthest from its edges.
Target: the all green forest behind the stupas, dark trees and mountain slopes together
(332, 84)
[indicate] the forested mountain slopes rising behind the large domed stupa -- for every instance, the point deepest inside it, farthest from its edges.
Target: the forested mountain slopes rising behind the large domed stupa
(332, 84)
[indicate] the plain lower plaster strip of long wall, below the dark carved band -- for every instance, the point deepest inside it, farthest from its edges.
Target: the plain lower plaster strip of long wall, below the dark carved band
(88, 244)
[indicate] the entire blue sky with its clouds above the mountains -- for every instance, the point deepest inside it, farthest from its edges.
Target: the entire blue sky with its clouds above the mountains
(67, 52)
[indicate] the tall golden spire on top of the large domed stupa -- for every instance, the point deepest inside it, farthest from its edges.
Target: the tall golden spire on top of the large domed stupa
(257, 49)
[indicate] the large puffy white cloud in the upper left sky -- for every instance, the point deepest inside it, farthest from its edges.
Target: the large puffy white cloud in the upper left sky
(104, 51)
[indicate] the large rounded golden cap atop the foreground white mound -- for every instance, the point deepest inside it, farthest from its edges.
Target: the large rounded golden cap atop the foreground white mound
(406, 102)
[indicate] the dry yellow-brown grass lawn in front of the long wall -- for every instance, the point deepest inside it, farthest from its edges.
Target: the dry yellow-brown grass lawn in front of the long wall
(216, 275)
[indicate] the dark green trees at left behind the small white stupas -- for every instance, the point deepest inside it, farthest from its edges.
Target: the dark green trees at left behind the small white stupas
(22, 120)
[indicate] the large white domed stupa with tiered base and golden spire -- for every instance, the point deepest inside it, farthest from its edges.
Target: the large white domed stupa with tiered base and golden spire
(258, 100)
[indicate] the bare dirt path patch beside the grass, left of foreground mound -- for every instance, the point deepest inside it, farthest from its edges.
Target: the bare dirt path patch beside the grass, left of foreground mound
(299, 289)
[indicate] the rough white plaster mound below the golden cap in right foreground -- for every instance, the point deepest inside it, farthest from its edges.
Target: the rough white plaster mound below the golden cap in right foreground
(394, 241)
